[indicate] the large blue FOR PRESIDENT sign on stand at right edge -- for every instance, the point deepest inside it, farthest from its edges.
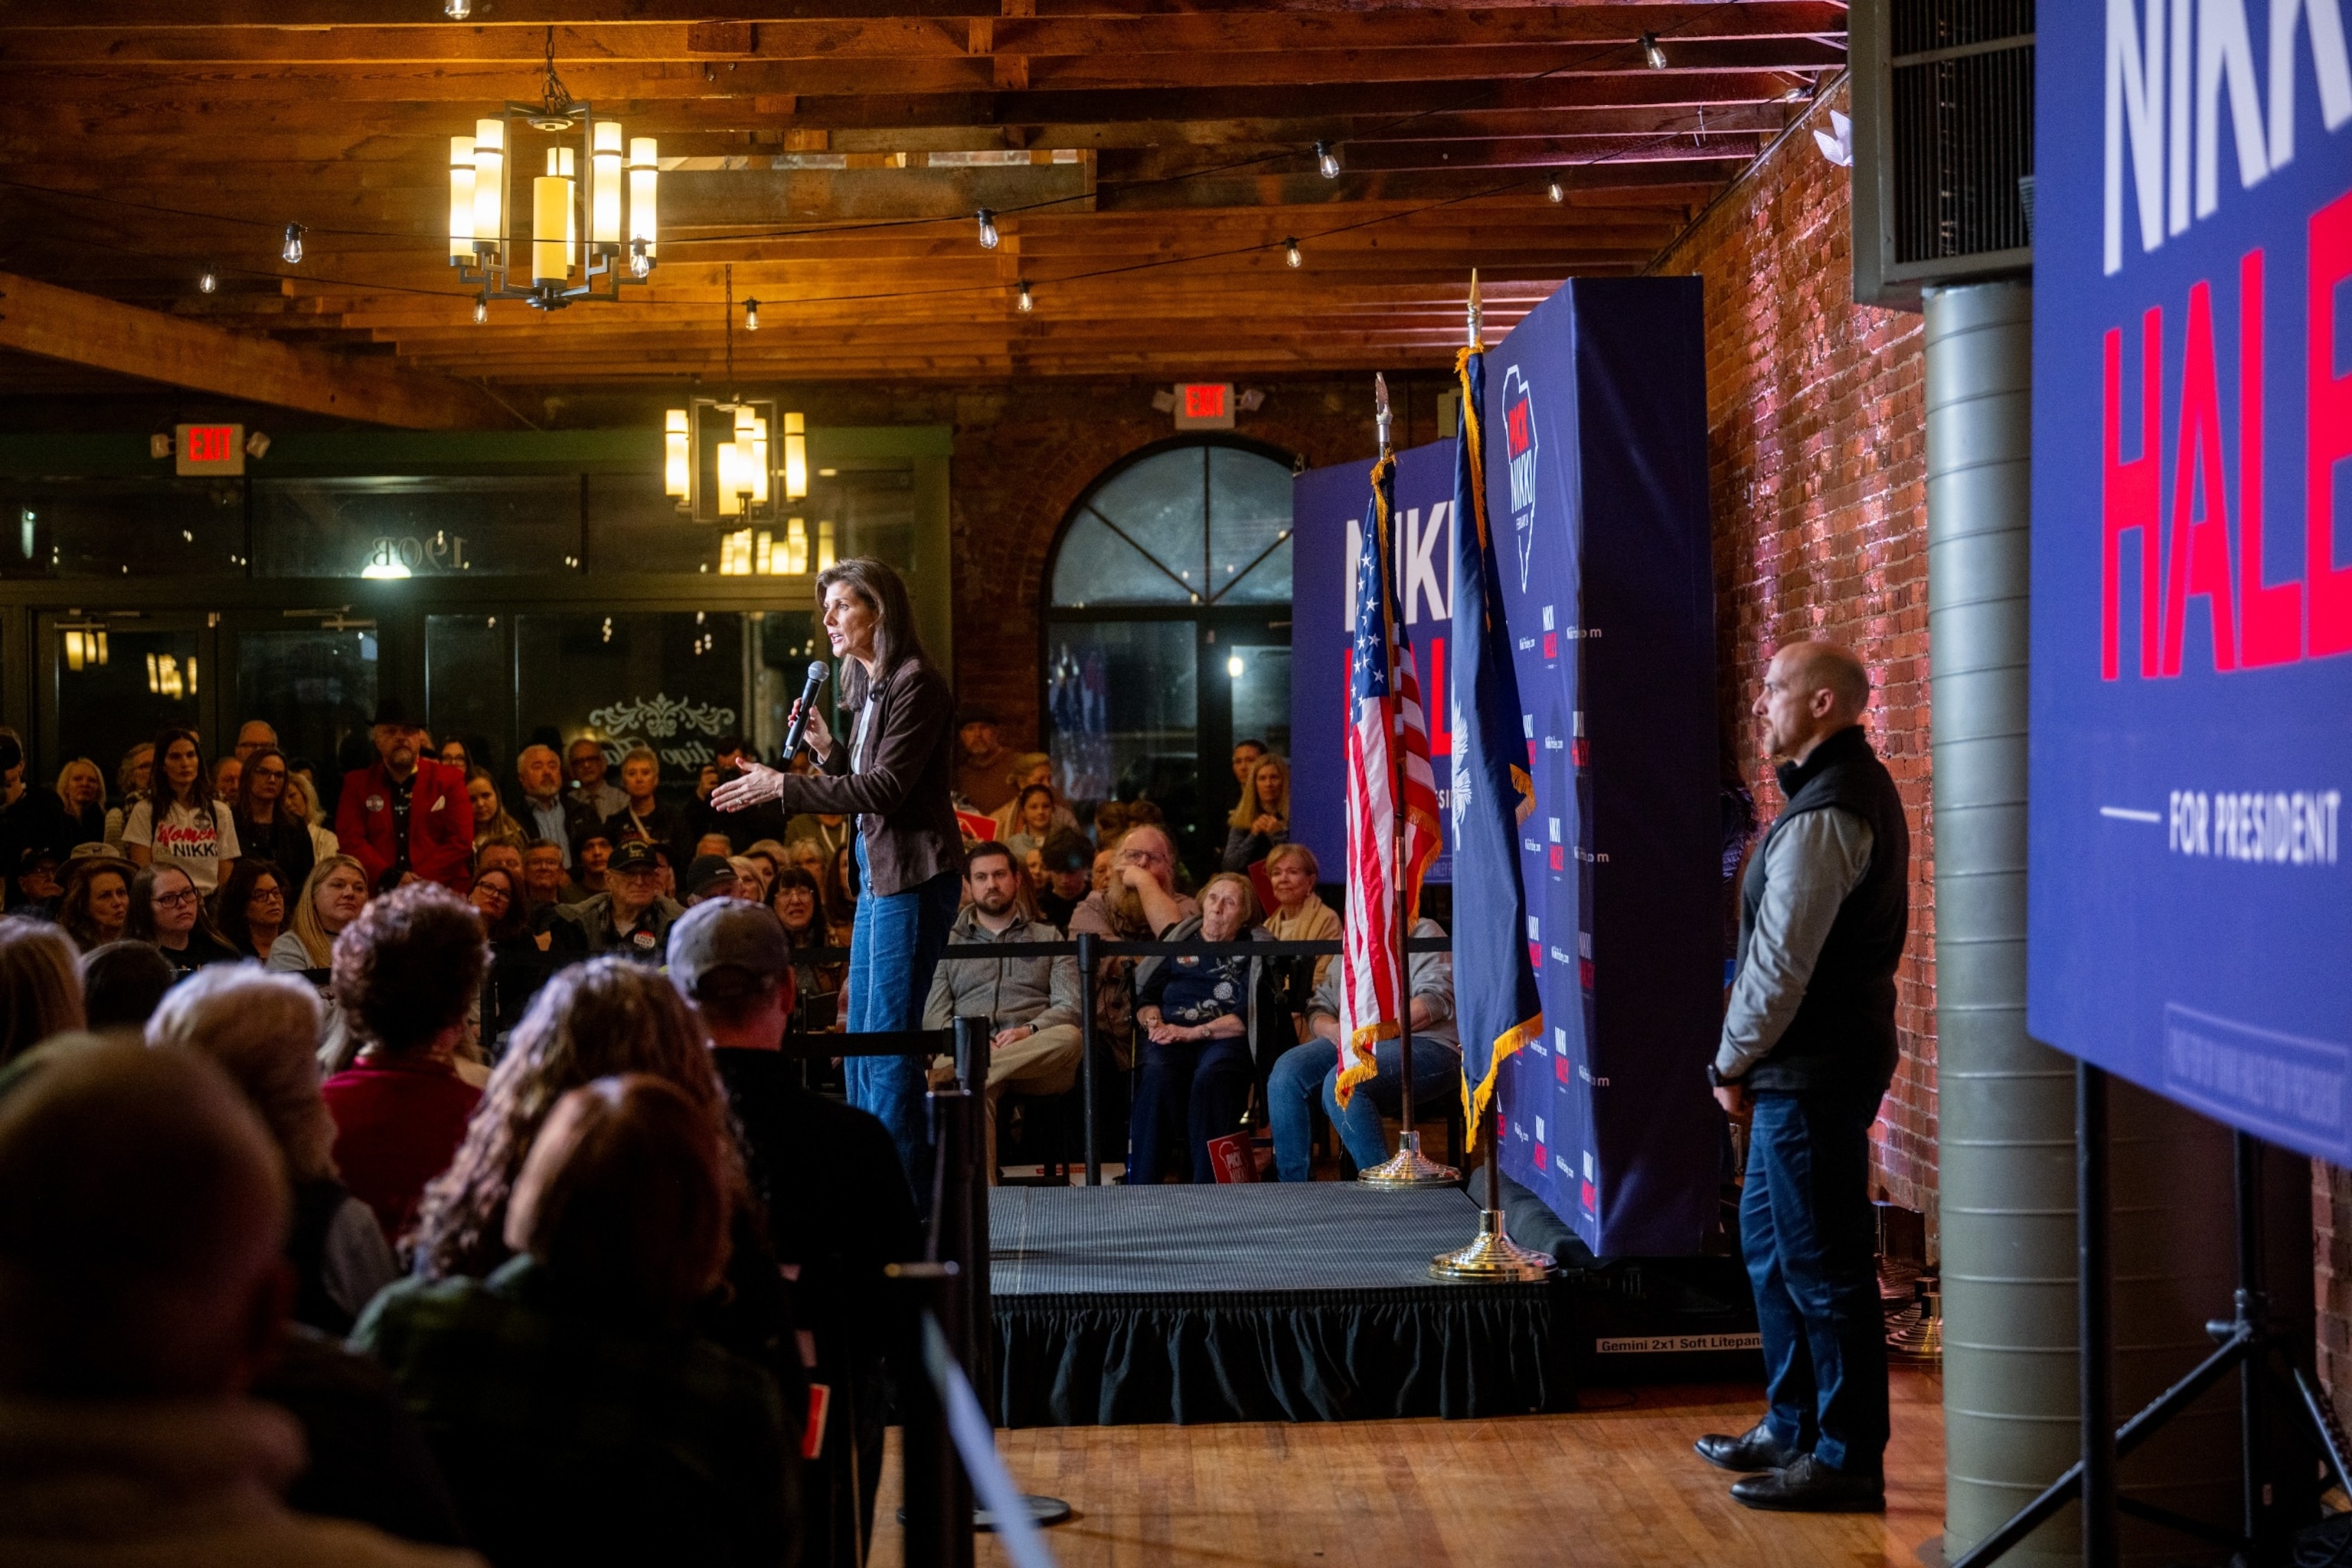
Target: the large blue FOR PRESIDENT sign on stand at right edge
(2193, 561)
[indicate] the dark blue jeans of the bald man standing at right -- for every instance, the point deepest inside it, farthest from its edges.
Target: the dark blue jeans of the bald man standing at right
(1805, 1231)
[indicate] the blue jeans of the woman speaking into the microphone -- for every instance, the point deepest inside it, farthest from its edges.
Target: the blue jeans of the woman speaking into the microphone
(895, 946)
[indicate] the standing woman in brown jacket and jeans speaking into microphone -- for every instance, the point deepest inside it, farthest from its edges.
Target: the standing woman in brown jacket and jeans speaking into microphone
(893, 779)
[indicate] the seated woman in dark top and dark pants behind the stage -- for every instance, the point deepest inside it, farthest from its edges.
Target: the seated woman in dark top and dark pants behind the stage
(1198, 1059)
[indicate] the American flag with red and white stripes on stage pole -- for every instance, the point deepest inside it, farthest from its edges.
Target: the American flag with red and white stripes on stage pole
(1384, 718)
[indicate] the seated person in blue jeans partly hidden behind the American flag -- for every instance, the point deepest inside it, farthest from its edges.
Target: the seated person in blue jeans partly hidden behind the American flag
(1314, 1071)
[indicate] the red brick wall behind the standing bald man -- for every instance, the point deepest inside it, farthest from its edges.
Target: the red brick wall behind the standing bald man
(1817, 441)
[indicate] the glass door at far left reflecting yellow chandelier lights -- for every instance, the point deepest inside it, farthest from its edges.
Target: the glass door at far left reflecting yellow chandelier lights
(112, 681)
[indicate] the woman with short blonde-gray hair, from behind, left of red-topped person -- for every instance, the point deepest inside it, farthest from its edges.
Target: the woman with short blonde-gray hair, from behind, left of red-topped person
(265, 1031)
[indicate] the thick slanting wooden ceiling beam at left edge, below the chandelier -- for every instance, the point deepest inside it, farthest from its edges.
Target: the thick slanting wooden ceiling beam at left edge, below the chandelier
(58, 323)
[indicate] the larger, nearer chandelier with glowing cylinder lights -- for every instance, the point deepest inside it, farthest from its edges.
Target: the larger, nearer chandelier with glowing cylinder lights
(580, 232)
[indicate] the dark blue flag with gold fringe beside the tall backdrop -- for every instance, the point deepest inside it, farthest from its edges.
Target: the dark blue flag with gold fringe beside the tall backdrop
(1495, 986)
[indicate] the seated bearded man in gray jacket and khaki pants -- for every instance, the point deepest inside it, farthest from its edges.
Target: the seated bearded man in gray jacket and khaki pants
(1029, 1003)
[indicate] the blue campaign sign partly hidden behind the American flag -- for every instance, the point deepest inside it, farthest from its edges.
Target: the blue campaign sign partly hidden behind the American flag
(1328, 511)
